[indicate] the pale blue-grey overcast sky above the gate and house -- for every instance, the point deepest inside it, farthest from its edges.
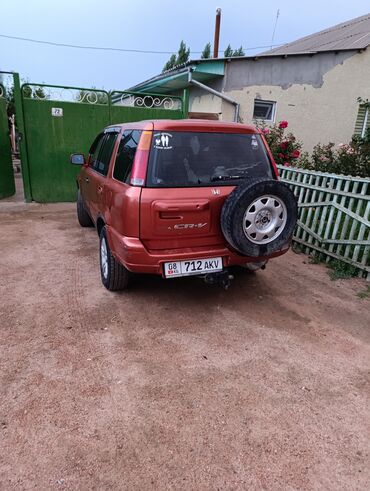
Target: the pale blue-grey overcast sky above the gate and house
(146, 25)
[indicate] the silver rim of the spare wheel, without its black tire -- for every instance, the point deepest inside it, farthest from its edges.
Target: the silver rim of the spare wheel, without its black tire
(264, 219)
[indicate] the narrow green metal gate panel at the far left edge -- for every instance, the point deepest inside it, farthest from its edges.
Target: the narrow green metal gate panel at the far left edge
(7, 186)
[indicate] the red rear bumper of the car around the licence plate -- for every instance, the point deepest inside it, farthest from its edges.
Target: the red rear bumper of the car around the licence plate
(131, 252)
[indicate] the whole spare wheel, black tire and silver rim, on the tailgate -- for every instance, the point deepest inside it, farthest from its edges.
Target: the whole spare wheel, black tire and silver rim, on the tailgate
(259, 216)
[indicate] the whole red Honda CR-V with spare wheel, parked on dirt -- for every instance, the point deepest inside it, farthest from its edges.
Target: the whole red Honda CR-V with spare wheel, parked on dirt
(179, 198)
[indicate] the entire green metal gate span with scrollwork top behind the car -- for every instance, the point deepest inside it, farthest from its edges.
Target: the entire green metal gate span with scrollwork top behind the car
(61, 120)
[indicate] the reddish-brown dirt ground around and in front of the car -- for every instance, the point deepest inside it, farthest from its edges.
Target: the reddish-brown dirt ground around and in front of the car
(175, 384)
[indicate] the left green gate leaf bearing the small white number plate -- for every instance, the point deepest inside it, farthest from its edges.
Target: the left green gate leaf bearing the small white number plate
(59, 121)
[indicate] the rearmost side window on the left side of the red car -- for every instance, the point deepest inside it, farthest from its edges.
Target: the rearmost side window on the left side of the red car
(126, 154)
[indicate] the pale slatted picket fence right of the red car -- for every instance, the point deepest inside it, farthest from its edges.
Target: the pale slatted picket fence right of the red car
(334, 215)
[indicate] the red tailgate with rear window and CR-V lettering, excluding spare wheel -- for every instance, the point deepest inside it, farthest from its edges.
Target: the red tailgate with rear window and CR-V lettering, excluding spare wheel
(189, 176)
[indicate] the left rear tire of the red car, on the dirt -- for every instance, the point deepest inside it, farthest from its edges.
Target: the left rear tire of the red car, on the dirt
(114, 275)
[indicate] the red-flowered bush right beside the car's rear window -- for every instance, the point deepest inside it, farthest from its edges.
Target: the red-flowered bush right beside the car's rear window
(284, 147)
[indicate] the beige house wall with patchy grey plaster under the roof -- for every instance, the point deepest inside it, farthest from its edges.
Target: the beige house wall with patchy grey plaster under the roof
(316, 94)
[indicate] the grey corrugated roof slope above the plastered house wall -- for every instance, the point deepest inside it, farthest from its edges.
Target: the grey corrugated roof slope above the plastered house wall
(350, 35)
